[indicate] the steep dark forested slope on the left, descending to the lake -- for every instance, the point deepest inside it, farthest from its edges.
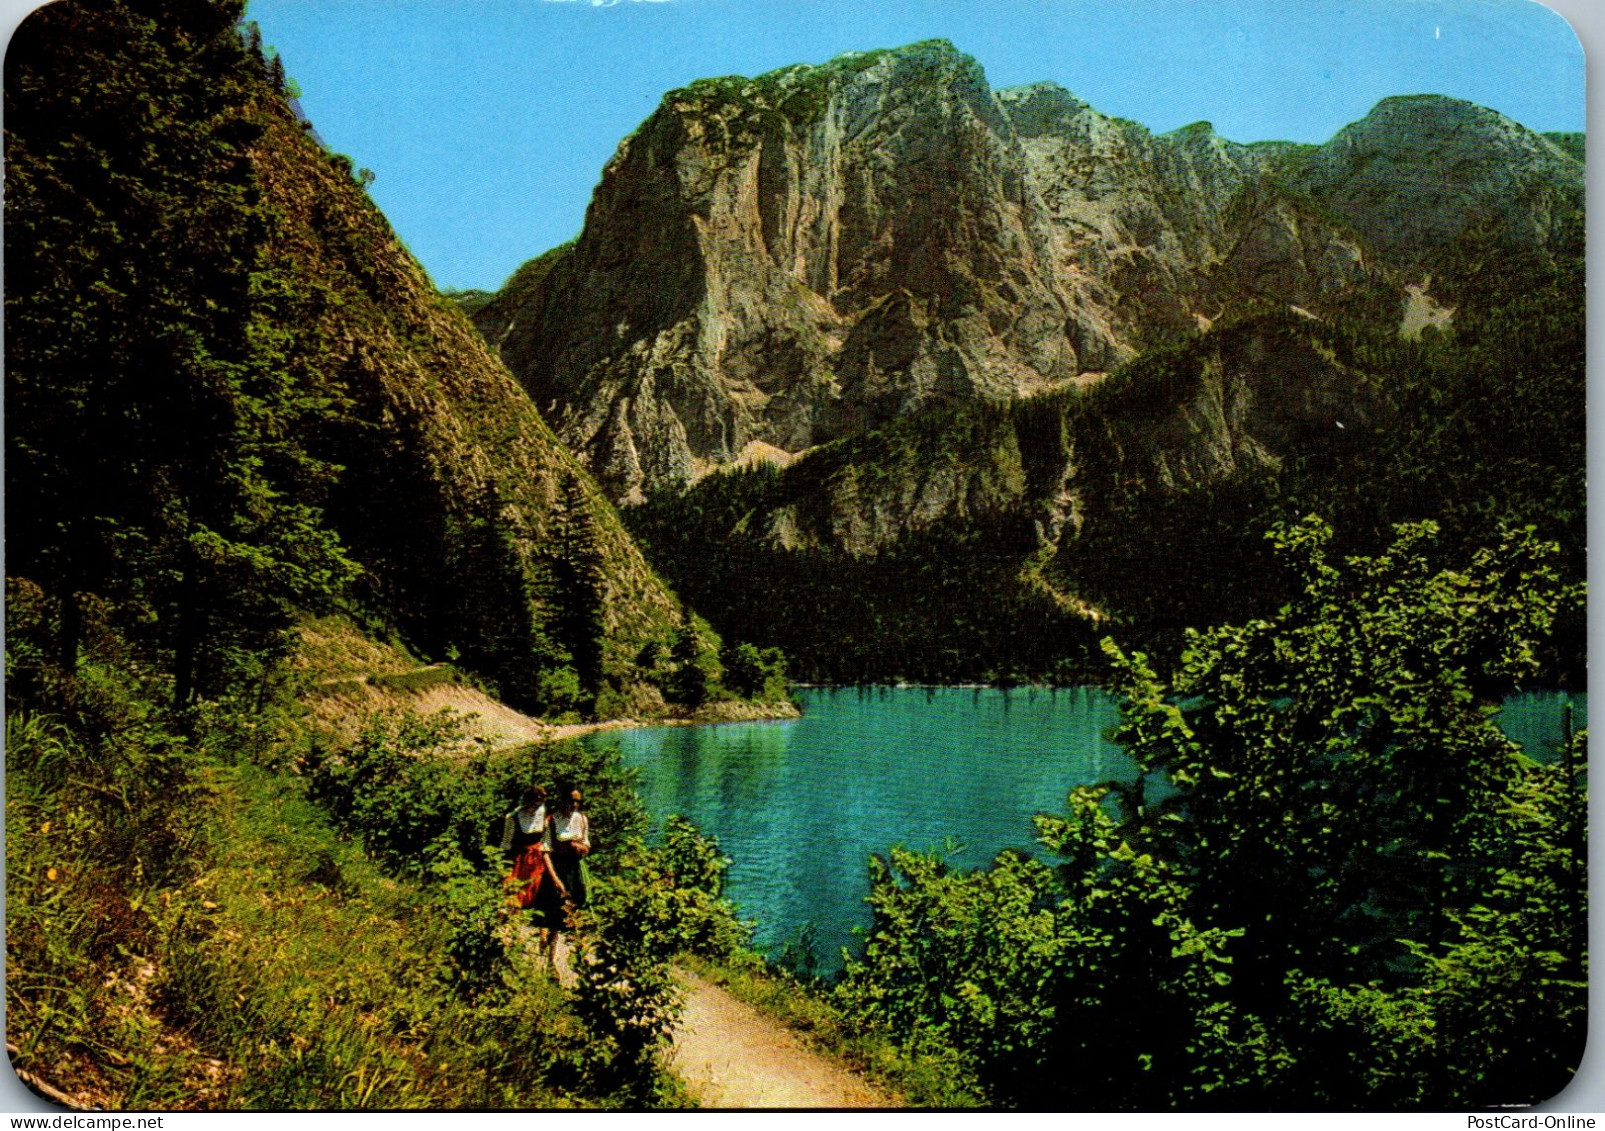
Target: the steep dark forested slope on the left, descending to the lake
(232, 392)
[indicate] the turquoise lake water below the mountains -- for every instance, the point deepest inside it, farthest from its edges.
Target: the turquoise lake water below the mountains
(800, 806)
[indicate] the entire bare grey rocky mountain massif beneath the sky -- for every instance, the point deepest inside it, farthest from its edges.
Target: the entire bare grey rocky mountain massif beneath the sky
(782, 262)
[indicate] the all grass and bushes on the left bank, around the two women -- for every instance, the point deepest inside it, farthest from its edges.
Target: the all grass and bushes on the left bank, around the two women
(226, 920)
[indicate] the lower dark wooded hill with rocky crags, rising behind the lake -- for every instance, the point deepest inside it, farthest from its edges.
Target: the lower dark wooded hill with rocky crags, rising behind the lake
(1007, 538)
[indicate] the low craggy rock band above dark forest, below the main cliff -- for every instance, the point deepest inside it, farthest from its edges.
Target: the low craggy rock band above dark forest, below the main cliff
(1241, 400)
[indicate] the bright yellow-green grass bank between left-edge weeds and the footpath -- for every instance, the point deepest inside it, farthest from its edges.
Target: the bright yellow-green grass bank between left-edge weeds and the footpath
(325, 979)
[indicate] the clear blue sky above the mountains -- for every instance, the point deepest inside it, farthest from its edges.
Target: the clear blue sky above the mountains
(489, 121)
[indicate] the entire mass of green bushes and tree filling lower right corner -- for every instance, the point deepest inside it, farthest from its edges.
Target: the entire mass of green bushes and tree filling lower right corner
(1336, 885)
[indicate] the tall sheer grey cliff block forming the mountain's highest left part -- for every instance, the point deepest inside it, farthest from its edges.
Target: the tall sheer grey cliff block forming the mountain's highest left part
(795, 259)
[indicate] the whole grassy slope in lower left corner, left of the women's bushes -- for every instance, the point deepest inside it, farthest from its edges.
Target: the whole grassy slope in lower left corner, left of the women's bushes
(269, 967)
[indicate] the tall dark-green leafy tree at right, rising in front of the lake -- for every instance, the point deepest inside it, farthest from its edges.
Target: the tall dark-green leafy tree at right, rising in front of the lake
(1341, 793)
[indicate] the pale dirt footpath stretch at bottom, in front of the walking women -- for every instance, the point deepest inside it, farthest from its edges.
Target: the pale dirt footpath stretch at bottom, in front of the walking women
(731, 1055)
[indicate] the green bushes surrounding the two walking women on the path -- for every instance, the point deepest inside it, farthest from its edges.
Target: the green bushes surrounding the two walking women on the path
(428, 813)
